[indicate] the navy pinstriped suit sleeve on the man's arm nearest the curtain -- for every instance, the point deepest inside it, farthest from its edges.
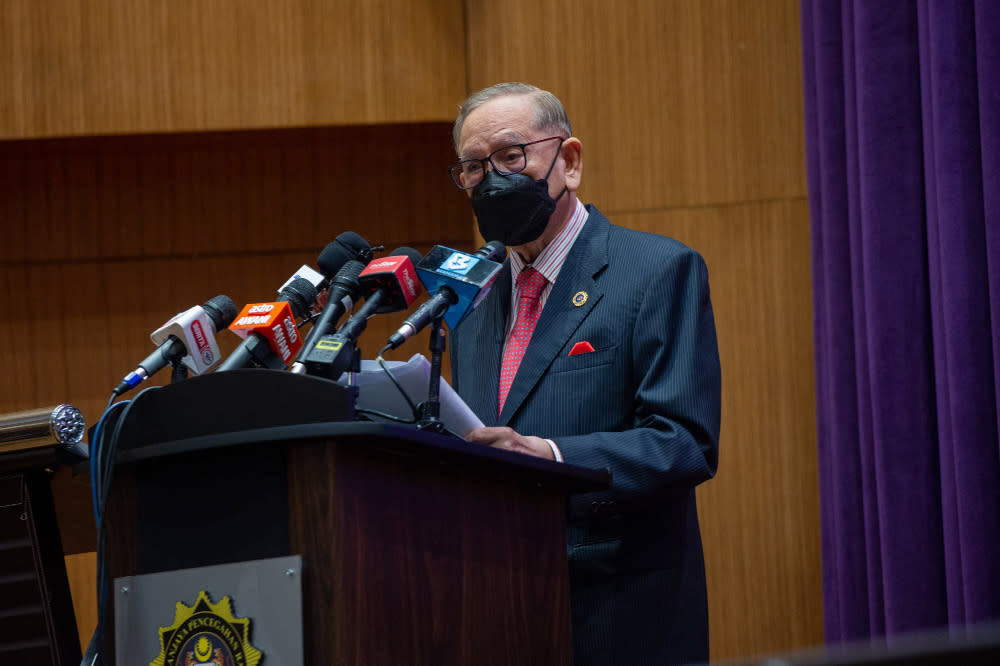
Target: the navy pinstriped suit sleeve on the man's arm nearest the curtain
(673, 442)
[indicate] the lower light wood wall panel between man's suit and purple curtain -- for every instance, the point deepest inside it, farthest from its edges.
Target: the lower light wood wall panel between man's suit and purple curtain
(760, 515)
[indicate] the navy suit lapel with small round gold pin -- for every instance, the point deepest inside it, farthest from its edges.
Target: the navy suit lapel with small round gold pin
(561, 316)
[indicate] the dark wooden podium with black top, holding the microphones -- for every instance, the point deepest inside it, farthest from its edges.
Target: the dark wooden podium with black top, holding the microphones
(417, 548)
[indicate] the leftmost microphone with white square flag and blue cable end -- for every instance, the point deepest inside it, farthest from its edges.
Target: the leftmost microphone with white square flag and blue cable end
(189, 338)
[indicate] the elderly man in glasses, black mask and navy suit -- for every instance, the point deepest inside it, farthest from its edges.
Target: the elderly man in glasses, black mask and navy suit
(595, 347)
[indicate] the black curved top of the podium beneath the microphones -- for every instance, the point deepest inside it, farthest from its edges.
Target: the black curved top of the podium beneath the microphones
(247, 407)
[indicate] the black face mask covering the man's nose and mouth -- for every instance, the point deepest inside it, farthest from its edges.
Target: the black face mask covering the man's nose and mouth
(513, 209)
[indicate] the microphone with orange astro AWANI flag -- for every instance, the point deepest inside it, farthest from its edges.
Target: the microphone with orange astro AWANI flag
(270, 335)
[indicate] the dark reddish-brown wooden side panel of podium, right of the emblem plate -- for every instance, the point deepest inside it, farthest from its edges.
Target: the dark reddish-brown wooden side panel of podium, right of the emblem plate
(450, 564)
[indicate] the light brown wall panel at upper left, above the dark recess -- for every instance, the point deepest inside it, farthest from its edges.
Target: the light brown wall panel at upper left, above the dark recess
(107, 67)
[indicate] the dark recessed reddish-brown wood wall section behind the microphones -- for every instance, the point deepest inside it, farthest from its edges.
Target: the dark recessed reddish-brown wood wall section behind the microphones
(108, 237)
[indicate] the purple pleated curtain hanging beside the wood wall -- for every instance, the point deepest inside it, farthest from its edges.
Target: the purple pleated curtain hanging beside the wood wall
(902, 102)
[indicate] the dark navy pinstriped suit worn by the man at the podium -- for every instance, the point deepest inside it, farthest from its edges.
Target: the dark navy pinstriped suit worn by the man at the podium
(644, 404)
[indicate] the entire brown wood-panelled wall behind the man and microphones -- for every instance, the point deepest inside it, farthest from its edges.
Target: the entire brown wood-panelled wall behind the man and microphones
(691, 119)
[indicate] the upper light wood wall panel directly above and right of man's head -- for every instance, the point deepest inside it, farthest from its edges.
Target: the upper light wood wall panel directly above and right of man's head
(677, 103)
